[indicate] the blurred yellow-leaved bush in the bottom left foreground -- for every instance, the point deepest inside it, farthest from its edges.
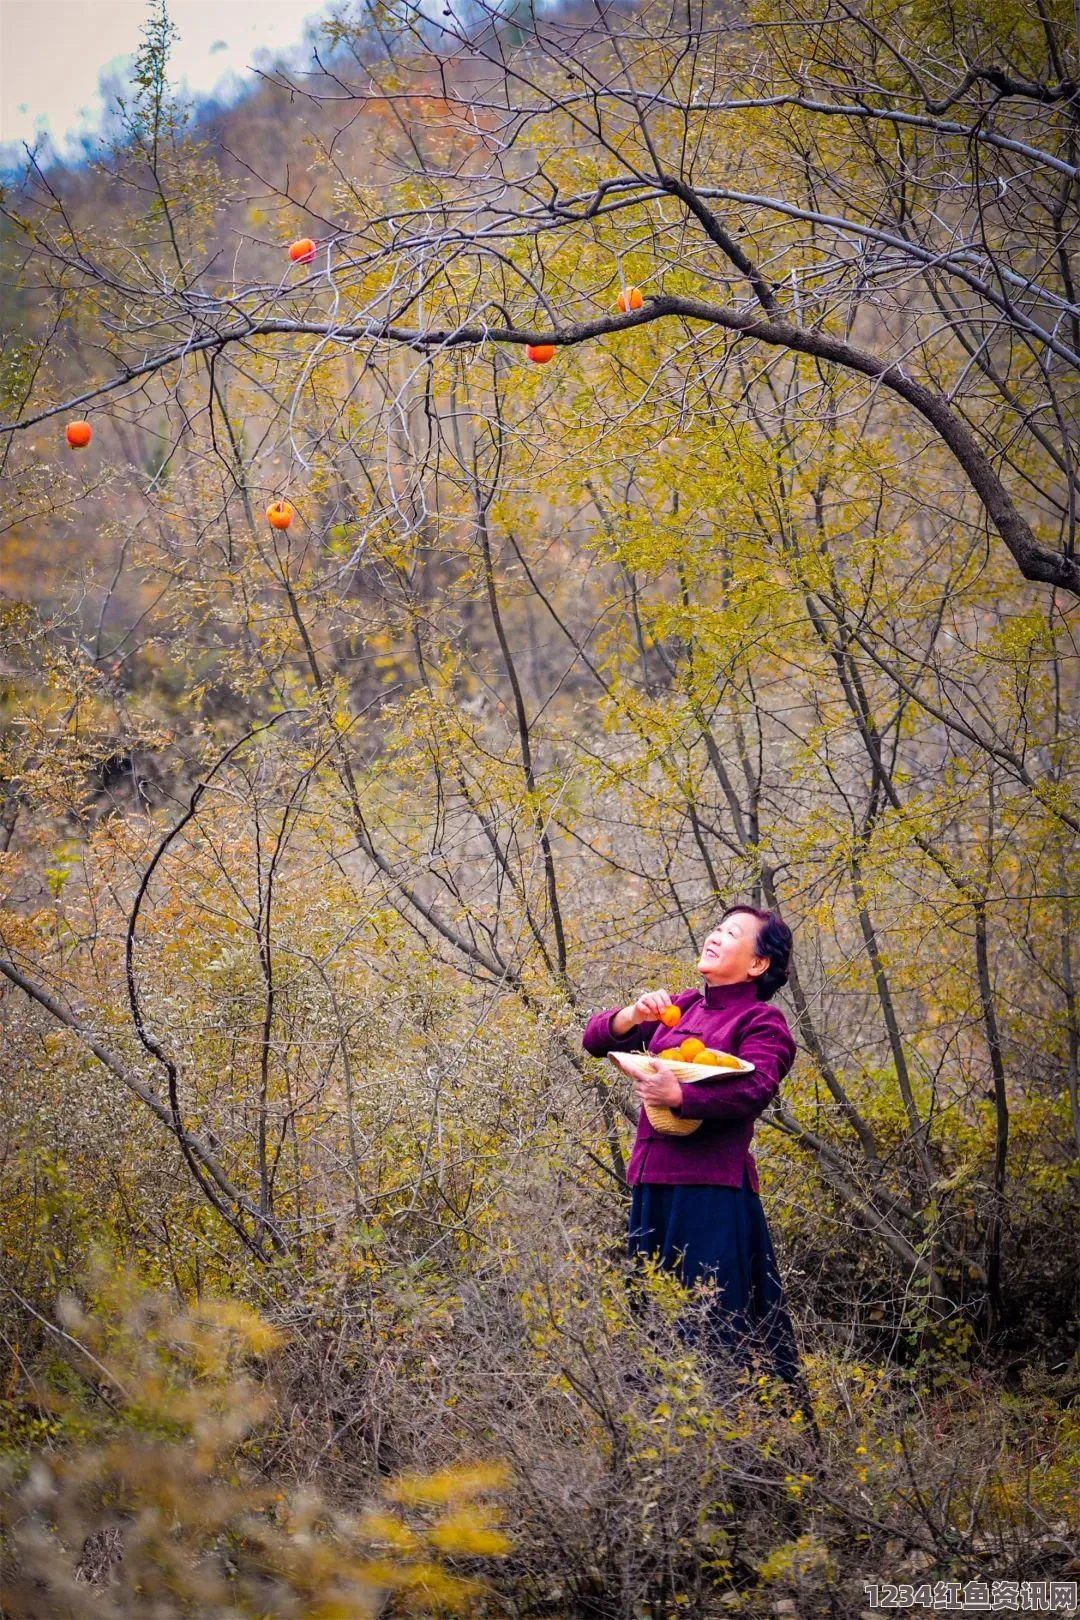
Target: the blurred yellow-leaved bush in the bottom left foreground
(142, 1494)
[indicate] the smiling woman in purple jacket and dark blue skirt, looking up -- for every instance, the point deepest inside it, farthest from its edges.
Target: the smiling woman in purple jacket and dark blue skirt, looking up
(695, 1198)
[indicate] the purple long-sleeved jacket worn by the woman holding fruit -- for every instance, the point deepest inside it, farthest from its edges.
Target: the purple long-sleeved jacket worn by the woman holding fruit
(728, 1018)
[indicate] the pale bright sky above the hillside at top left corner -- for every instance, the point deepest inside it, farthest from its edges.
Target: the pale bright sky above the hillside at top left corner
(57, 54)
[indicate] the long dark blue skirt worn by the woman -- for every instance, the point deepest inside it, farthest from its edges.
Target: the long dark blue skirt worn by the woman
(720, 1235)
